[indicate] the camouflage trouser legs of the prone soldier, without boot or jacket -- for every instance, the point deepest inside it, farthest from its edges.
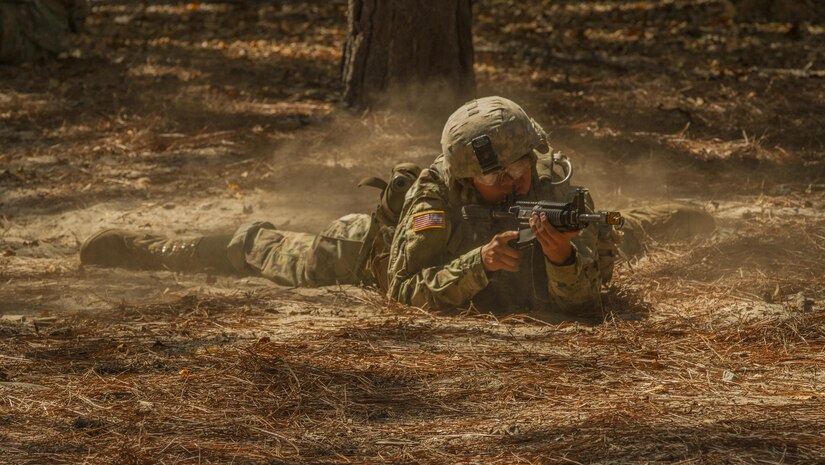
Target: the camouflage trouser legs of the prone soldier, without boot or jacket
(334, 256)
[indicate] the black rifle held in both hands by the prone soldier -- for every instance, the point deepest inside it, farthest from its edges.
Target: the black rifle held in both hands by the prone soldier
(571, 216)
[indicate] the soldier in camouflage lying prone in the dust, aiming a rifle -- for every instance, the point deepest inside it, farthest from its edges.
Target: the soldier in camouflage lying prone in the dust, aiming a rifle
(418, 248)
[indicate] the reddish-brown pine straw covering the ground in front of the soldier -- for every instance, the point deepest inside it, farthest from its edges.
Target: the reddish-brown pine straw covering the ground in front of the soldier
(343, 378)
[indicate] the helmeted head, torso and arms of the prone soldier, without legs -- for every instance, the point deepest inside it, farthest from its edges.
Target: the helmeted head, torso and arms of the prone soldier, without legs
(438, 260)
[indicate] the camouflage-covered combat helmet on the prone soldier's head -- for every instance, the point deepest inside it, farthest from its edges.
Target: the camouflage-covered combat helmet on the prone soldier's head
(487, 134)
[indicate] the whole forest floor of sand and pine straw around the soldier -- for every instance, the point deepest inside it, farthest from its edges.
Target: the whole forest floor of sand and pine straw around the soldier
(190, 118)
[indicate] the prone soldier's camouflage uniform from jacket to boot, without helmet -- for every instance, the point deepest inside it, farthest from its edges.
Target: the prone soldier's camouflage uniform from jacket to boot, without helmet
(436, 268)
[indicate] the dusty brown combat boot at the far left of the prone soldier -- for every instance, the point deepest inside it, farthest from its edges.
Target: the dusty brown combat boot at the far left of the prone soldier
(124, 249)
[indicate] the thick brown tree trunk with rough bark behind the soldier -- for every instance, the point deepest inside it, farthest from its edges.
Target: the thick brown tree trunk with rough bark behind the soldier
(408, 52)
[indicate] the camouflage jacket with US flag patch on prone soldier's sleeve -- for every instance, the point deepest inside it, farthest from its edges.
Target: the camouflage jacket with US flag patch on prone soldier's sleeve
(439, 266)
